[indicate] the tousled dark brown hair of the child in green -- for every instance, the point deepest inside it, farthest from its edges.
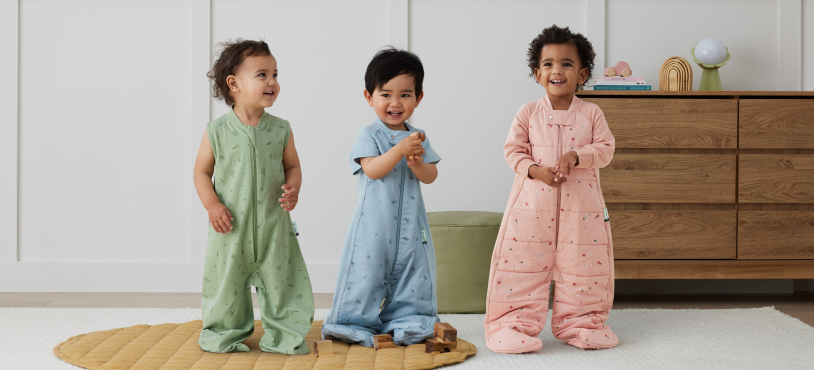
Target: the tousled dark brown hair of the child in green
(230, 57)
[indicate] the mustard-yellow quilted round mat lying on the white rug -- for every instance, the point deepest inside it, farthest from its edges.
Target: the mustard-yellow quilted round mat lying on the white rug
(175, 346)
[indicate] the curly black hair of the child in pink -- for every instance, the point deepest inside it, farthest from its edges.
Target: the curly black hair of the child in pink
(558, 35)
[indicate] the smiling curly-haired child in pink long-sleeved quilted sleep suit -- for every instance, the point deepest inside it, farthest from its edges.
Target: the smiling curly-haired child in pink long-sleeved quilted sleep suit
(555, 228)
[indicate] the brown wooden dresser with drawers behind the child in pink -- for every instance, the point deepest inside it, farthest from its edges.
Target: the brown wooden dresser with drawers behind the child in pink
(710, 185)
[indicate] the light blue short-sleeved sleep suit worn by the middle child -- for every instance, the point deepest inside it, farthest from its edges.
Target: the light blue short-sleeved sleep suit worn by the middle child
(388, 254)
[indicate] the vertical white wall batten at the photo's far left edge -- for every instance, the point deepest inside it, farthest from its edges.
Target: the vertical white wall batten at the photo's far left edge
(9, 127)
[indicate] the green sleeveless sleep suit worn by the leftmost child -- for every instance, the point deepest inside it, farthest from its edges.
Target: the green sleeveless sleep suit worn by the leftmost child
(261, 250)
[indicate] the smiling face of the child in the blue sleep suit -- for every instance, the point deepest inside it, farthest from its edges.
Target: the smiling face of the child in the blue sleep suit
(395, 101)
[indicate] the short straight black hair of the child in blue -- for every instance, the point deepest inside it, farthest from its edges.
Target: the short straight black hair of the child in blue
(391, 62)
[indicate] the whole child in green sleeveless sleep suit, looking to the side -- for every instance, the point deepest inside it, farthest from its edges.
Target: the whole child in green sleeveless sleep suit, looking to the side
(251, 238)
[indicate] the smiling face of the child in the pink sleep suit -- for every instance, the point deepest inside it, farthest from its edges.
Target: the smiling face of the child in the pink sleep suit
(560, 70)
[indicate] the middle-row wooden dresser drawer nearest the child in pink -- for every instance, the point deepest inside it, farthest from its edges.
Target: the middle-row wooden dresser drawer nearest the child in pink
(669, 178)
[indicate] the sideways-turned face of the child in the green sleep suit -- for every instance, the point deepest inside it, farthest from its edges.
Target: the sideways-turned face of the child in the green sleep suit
(255, 85)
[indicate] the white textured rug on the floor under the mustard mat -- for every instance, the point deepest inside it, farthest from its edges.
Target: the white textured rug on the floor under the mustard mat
(758, 338)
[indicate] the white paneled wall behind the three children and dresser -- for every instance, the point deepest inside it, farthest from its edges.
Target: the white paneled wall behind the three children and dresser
(102, 121)
